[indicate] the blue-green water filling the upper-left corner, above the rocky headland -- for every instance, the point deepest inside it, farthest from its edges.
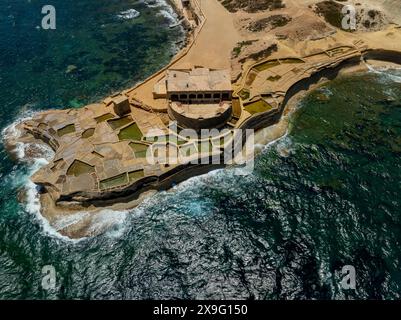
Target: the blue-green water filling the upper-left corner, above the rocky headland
(98, 47)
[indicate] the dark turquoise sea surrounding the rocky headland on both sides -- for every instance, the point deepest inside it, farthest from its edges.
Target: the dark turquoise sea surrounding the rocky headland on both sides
(326, 195)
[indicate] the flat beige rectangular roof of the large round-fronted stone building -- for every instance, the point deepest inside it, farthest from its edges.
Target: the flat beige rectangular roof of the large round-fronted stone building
(198, 80)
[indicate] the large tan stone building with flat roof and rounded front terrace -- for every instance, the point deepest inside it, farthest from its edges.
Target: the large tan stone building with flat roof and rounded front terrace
(198, 97)
